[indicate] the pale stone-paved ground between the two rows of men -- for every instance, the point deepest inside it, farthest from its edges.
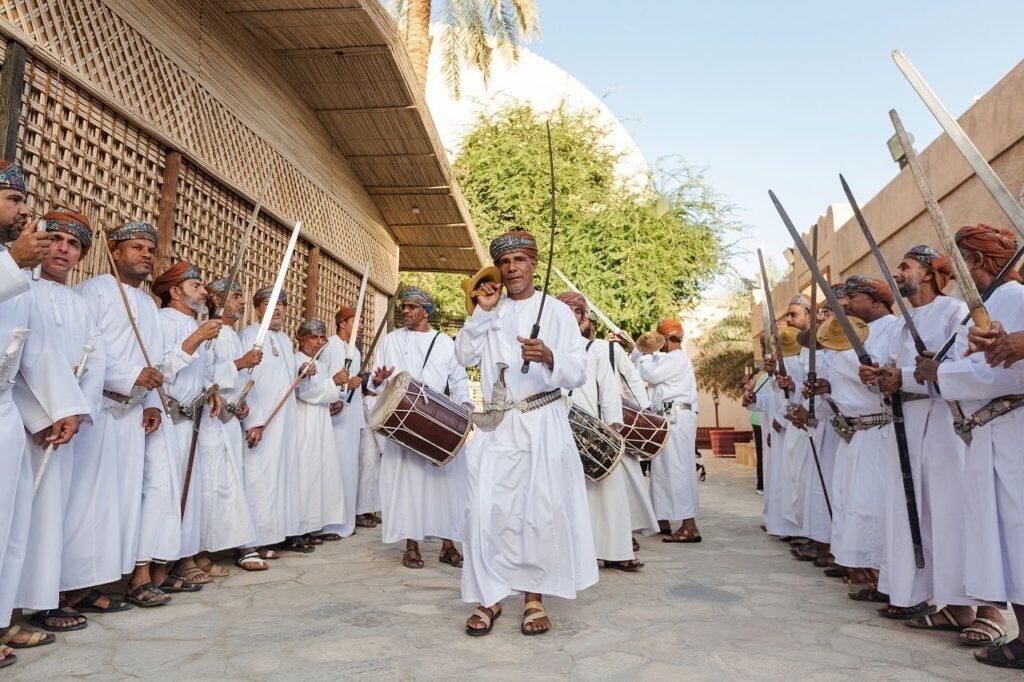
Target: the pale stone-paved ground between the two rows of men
(735, 608)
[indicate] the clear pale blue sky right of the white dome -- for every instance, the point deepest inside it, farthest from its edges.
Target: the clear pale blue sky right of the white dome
(782, 95)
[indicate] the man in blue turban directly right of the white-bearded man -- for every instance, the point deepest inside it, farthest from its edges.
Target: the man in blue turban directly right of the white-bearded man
(227, 520)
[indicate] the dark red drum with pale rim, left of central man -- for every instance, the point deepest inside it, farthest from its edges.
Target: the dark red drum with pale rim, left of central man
(423, 420)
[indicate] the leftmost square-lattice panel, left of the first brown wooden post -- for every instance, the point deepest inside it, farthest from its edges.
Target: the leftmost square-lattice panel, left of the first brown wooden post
(77, 153)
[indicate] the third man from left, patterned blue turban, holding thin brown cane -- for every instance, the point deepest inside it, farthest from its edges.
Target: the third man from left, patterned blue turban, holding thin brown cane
(134, 407)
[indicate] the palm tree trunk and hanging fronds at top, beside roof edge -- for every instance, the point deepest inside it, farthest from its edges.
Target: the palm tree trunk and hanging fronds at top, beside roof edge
(474, 30)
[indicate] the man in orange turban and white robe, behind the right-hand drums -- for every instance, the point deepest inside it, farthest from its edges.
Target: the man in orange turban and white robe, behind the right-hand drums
(673, 475)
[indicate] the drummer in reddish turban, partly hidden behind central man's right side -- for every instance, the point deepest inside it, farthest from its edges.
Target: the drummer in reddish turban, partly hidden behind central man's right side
(610, 505)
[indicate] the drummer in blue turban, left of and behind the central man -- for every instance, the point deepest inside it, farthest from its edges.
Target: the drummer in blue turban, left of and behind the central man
(420, 500)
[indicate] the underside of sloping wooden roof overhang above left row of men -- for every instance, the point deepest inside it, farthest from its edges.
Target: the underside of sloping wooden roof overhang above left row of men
(347, 61)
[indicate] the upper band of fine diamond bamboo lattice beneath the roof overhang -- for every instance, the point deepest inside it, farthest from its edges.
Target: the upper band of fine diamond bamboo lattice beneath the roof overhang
(101, 47)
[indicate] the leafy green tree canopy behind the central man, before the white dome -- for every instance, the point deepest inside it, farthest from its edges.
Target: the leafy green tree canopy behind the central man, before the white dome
(639, 254)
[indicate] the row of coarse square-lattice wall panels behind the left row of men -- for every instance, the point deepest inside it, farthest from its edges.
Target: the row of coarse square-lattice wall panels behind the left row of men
(113, 172)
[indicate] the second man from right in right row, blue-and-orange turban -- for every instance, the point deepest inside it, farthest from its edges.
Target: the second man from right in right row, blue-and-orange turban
(936, 454)
